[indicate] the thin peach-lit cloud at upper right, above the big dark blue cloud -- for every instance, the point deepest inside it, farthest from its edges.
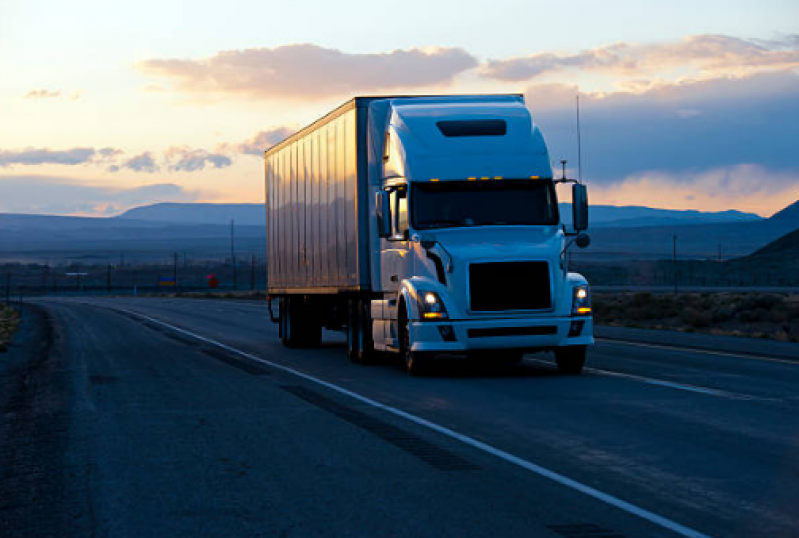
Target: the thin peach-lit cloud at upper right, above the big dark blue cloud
(702, 53)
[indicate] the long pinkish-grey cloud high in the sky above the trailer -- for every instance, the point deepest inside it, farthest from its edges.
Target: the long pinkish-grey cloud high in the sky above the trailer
(309, 71)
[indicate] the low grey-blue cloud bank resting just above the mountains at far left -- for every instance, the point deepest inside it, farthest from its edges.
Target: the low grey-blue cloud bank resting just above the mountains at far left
(61, 196)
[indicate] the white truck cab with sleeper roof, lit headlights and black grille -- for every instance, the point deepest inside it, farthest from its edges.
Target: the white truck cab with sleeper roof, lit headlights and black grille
(472, 250)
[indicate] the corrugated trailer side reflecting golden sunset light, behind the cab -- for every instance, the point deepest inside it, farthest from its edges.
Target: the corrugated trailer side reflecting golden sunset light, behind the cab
(316, 186)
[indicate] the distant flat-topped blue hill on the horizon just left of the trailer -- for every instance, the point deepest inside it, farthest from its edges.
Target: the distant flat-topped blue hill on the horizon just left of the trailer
(244, 214)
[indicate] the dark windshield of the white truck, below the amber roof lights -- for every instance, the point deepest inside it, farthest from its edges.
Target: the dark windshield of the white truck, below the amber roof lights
(483, 203)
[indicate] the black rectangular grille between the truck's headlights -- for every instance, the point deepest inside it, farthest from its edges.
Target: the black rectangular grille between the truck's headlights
(509, 286)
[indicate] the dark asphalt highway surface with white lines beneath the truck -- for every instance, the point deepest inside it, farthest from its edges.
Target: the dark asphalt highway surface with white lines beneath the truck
(170, 417)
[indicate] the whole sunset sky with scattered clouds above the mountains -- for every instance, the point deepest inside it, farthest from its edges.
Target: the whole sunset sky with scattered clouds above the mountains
(106, 105)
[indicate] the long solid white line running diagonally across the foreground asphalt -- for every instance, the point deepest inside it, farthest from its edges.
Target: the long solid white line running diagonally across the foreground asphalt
(630, 508)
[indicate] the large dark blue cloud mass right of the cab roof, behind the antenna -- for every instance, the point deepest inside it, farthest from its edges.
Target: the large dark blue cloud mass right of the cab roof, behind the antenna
(674, 127)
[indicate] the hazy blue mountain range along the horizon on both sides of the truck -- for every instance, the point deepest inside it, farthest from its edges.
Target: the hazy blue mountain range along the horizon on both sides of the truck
(155, 232)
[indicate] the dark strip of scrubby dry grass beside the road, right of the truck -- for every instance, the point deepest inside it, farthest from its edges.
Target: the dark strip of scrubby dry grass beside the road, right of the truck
(758, 315)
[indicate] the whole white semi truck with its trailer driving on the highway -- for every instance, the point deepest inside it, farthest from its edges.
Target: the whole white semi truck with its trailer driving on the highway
(425, 226)
